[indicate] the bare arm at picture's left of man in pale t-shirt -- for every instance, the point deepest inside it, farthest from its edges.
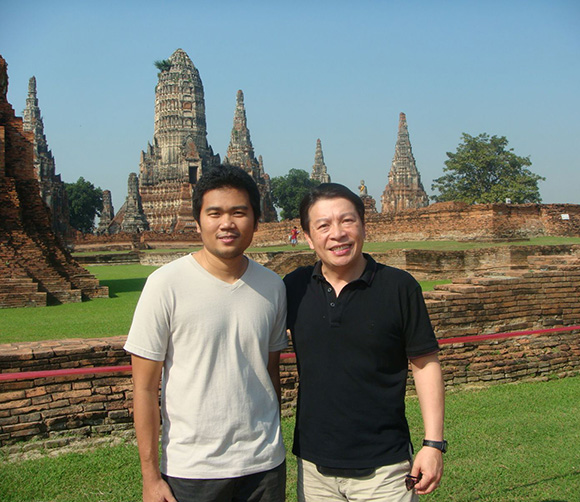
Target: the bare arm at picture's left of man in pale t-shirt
(146, 377)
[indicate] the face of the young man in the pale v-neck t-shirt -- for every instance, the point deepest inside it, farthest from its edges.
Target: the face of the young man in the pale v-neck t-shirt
(226, 222)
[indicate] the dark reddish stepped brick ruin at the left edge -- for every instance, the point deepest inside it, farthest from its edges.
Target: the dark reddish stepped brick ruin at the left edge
(35, 268)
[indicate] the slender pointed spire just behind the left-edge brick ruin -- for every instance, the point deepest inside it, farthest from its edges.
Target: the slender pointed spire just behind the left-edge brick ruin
(52, 189)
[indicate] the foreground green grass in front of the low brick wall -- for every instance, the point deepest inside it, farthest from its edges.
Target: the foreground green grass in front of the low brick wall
(508, 443)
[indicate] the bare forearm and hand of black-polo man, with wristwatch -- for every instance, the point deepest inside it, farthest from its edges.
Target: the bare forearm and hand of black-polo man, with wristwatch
(431, 392)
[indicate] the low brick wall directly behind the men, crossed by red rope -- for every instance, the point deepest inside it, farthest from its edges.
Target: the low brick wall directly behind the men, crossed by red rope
(543, 296)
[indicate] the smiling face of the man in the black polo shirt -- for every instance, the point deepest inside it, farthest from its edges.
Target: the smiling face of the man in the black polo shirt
(336, 233)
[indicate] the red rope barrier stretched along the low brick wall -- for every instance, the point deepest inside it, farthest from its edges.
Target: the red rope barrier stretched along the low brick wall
(29, 375)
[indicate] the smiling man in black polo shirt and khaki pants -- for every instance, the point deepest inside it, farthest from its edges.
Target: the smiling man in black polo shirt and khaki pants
(355, 325)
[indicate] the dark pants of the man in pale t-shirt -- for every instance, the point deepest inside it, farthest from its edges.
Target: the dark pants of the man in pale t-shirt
(268, 486)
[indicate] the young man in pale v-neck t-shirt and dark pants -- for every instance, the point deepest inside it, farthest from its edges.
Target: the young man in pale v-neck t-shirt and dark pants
(211, 326)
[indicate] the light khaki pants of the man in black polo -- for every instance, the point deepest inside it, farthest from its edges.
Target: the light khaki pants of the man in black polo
(387, 484)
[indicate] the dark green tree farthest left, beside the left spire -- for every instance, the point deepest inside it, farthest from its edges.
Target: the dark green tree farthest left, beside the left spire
(84, 202)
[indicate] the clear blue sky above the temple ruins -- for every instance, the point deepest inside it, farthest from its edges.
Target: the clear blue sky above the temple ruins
(341, 71)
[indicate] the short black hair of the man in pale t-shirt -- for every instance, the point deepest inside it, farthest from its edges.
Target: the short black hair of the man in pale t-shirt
(225, 176)
